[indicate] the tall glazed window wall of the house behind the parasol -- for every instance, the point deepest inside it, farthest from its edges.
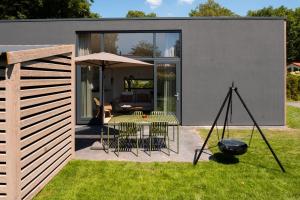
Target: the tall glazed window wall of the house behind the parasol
(155, 47)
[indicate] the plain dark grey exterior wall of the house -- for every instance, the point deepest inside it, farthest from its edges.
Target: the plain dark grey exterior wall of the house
(215, 52)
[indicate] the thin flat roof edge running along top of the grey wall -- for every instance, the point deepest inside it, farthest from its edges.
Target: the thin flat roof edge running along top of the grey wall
(145, 18)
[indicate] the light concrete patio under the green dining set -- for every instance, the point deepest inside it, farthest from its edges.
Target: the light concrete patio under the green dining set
(189, 141)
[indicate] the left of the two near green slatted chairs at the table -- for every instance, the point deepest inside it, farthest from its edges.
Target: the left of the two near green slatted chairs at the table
(128, 131)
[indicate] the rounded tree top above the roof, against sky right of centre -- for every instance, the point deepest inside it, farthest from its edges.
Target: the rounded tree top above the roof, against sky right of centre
(210, 8)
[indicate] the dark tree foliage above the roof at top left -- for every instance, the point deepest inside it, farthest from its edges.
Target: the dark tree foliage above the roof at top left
(34, 9)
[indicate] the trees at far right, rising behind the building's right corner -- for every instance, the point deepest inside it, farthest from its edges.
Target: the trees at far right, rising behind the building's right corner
(292, 27)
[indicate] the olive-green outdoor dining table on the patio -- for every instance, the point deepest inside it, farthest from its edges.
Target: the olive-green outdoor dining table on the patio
(143, 121)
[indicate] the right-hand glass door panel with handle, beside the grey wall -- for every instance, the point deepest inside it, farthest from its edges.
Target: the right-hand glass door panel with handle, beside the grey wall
(167, 87)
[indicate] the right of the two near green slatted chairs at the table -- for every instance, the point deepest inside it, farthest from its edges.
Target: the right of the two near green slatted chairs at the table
(159, 130)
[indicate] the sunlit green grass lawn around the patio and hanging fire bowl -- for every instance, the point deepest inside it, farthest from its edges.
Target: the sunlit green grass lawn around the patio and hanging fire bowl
(255, 176)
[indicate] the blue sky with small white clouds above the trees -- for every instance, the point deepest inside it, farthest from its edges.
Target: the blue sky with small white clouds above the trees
(180, 8)
